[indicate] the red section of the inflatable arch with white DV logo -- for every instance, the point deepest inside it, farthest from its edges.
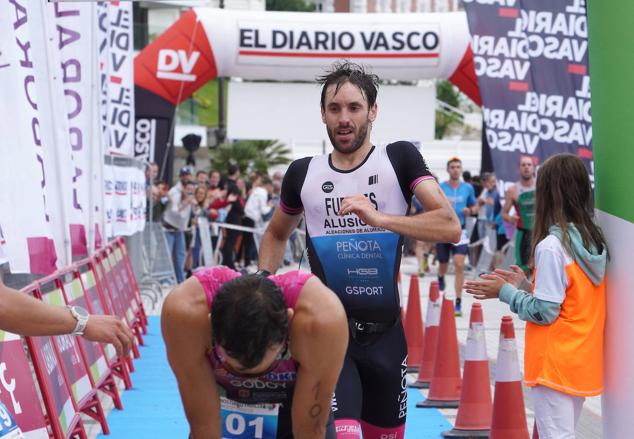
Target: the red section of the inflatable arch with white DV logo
(178, 62)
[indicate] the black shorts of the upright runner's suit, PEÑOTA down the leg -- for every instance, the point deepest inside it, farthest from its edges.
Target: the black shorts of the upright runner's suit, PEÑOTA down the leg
(372, 386)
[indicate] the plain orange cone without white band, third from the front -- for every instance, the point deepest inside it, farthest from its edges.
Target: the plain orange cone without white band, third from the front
(444, 389)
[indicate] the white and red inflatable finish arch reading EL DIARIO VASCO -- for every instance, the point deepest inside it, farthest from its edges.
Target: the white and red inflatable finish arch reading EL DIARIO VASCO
(206, 43)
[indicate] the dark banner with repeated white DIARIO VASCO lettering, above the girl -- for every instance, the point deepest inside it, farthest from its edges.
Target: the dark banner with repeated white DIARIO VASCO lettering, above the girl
(531, 60)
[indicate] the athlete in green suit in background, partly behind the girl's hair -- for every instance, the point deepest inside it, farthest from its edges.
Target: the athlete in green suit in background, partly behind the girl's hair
(522, 196)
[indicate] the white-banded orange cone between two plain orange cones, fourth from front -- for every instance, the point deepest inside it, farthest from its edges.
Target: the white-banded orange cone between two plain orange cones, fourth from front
(432, 321)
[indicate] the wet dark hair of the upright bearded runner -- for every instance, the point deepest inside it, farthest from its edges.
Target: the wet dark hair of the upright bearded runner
(346, 71)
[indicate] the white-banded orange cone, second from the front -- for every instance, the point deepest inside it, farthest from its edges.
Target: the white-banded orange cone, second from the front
(474, 412)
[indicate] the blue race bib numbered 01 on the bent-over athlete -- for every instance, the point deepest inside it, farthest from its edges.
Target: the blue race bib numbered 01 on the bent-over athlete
(248, 421)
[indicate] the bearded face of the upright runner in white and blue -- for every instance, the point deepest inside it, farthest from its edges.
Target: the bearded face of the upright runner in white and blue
(347, 117)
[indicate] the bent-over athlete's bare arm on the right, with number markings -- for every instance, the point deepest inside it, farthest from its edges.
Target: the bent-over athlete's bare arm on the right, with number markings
(320, 340)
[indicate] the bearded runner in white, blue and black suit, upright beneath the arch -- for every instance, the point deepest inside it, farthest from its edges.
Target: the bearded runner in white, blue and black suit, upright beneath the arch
(355, 201)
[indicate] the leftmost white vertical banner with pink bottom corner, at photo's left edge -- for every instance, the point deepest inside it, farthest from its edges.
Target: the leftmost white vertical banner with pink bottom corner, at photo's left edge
(27, 212)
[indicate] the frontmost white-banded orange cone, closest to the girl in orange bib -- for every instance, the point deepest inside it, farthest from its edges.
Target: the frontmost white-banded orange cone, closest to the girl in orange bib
(509, 414)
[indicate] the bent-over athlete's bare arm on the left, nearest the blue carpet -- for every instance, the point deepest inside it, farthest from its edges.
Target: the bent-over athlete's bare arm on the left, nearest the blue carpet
(187, 333)
